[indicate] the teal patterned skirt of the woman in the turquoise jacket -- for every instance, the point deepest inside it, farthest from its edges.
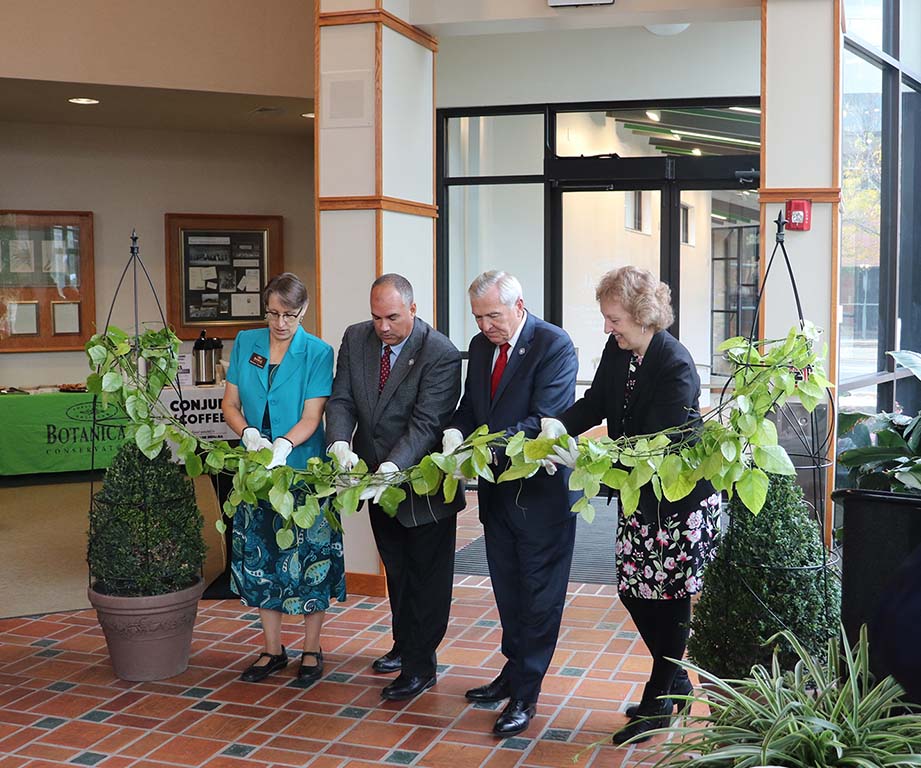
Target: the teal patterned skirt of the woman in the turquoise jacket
(299, 580)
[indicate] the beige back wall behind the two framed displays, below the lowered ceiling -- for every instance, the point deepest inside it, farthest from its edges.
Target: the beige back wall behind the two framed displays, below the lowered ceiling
(130, 178)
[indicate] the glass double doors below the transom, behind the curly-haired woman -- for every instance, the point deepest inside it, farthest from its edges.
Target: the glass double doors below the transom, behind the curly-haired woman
(703, 242)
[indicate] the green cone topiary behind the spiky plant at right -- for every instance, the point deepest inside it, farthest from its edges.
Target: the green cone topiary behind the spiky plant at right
(768, 575)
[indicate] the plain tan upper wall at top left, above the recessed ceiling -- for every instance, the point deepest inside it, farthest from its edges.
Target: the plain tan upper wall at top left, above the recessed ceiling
(232, 46)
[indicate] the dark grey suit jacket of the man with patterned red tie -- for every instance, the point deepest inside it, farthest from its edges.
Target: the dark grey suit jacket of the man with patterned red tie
(405, 421)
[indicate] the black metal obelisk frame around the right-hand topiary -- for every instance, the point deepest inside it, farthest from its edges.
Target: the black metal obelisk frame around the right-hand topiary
(810, 456)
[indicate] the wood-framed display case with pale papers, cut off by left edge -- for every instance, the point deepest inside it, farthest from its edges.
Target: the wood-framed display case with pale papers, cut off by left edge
(47, 287)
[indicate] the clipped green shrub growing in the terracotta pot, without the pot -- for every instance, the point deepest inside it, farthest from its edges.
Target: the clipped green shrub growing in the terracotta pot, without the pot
(145, 534)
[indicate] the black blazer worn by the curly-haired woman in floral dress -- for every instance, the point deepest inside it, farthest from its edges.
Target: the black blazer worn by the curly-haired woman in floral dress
(667, 395)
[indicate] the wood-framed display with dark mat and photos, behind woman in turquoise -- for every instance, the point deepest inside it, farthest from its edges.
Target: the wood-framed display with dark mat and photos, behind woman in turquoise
(216, 268)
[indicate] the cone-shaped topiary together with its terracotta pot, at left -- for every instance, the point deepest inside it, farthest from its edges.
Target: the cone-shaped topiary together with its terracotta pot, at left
(145, 556)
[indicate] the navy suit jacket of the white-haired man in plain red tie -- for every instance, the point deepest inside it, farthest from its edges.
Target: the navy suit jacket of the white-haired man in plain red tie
(539, 380)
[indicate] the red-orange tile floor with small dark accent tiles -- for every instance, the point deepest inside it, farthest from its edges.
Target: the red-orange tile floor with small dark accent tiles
(61, 705)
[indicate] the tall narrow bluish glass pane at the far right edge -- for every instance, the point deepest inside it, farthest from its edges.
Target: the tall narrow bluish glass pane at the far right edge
(910, 225)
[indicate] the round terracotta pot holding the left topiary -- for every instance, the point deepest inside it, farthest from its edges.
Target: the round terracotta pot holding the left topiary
(149, 638)
